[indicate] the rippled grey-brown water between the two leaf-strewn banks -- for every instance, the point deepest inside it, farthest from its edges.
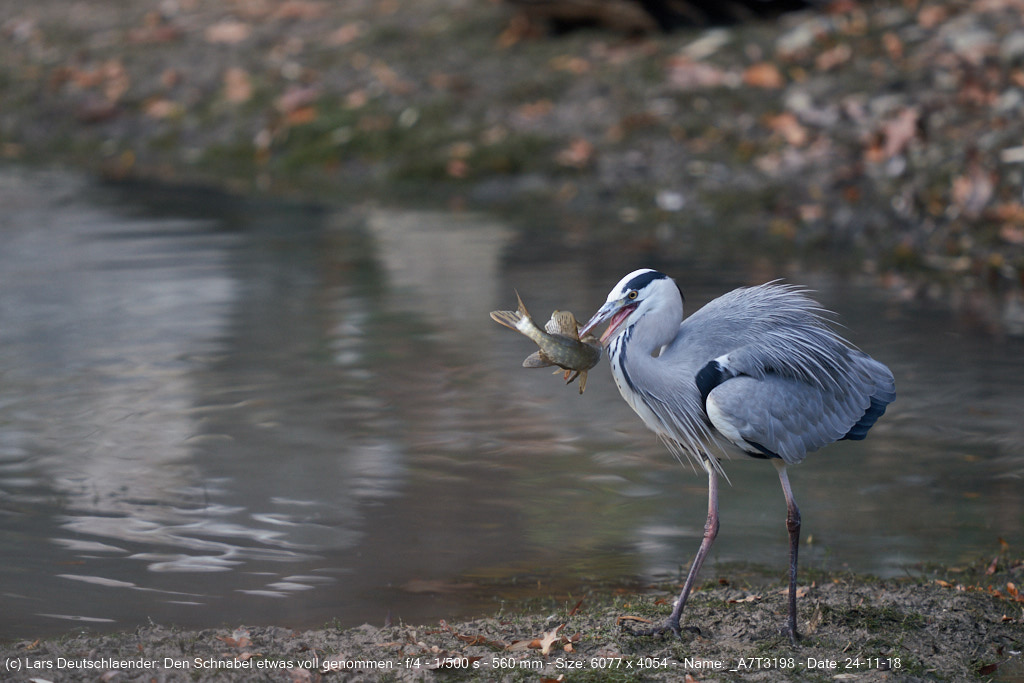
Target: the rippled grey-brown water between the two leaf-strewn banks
(217, 412)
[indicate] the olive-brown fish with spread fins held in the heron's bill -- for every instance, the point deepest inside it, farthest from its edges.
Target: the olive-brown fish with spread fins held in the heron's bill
(560, 341)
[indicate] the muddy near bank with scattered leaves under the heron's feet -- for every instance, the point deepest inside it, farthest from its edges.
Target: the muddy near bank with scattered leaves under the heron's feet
(945, 625)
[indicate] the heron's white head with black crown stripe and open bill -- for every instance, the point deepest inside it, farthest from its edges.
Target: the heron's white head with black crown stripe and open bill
(636, 295)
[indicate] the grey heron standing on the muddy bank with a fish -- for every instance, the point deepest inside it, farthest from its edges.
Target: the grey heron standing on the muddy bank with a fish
(758, 369)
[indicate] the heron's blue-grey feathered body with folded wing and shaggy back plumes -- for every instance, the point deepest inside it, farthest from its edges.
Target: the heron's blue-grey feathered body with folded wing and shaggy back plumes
(775, 378)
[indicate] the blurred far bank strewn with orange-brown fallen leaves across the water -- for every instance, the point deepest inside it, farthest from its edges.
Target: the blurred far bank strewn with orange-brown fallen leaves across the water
(884, 139)
